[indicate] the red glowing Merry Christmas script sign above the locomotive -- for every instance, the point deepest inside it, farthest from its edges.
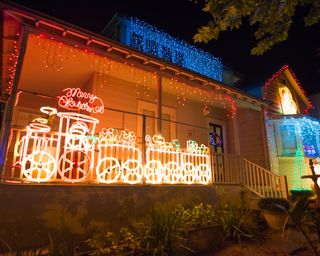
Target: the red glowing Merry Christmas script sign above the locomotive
(76, 99)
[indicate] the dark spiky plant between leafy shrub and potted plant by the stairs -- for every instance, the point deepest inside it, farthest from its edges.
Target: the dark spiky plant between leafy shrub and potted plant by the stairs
(237, 223)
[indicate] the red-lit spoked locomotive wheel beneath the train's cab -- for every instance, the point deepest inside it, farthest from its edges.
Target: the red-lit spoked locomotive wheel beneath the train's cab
(74, 166)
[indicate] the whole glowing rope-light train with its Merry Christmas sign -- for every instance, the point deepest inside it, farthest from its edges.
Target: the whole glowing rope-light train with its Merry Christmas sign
(76, 153)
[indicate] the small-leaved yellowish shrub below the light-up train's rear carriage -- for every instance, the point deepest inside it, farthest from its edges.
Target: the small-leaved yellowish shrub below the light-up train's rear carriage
(199, 216)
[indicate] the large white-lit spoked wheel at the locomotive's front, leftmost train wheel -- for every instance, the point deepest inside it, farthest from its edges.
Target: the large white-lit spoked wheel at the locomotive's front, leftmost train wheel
(39, 166)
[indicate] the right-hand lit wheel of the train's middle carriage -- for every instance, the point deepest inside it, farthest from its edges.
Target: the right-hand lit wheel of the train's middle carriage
(132, 171)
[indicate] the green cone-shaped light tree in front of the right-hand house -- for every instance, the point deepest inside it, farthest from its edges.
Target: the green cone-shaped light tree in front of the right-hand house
(300, 169)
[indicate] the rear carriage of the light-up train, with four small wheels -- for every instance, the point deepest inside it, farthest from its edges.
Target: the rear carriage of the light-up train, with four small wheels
(165, 163)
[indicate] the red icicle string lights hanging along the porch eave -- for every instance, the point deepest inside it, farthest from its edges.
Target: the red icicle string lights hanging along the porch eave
(142, 79)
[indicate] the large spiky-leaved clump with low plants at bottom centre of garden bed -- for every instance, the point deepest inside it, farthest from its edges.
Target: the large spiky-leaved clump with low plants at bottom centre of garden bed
(159, 234)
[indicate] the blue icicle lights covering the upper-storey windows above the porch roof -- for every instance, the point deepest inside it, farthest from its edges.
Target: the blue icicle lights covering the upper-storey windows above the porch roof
(147, 38)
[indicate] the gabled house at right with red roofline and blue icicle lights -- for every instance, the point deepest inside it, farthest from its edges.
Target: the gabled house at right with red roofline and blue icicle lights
(293, 135)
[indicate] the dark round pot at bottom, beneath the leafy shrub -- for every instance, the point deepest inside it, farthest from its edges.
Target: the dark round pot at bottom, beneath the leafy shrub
(206, 239)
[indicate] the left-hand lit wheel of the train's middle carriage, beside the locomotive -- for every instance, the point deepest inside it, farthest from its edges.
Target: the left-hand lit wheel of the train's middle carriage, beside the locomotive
(108, 170)
